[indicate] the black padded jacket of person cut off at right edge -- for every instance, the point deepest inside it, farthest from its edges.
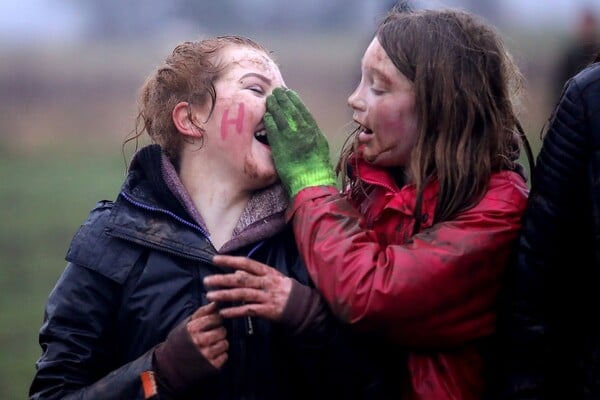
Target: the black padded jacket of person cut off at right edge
(552, 325)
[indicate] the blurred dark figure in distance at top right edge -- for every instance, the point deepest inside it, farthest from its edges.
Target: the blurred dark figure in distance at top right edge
(579, 51)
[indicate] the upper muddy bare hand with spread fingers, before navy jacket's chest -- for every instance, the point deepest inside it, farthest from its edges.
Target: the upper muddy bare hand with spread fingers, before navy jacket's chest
(258, 289)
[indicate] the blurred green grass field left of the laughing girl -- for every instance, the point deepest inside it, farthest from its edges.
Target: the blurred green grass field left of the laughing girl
(44, 196)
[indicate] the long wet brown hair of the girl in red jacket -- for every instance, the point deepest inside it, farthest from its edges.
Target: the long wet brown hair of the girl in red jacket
(466, 86)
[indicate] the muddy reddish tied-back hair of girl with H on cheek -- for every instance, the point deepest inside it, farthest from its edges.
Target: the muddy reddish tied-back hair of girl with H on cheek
(188, 74)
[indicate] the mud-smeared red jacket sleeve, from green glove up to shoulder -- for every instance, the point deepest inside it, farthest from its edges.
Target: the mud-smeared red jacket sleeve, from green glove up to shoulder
(438, 289)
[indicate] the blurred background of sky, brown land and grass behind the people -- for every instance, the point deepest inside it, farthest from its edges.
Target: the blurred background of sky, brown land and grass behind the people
(69, 75)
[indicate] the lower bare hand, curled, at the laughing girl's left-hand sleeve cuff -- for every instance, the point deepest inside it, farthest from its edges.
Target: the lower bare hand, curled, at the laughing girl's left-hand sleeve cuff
(208, 334)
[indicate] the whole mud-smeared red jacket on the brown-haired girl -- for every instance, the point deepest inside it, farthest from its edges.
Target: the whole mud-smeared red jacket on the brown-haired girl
(433, 293)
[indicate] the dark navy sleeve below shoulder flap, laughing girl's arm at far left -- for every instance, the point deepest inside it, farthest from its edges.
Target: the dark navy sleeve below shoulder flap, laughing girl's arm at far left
(78, 360)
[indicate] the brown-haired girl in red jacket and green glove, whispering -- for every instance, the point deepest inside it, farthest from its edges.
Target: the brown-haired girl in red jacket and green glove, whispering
(412, 252)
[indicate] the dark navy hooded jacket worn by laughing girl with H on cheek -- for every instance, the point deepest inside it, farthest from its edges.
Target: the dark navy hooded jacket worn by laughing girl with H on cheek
(135, 270)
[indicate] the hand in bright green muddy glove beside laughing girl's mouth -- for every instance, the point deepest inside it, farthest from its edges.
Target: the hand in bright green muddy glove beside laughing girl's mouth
(300, 151)
